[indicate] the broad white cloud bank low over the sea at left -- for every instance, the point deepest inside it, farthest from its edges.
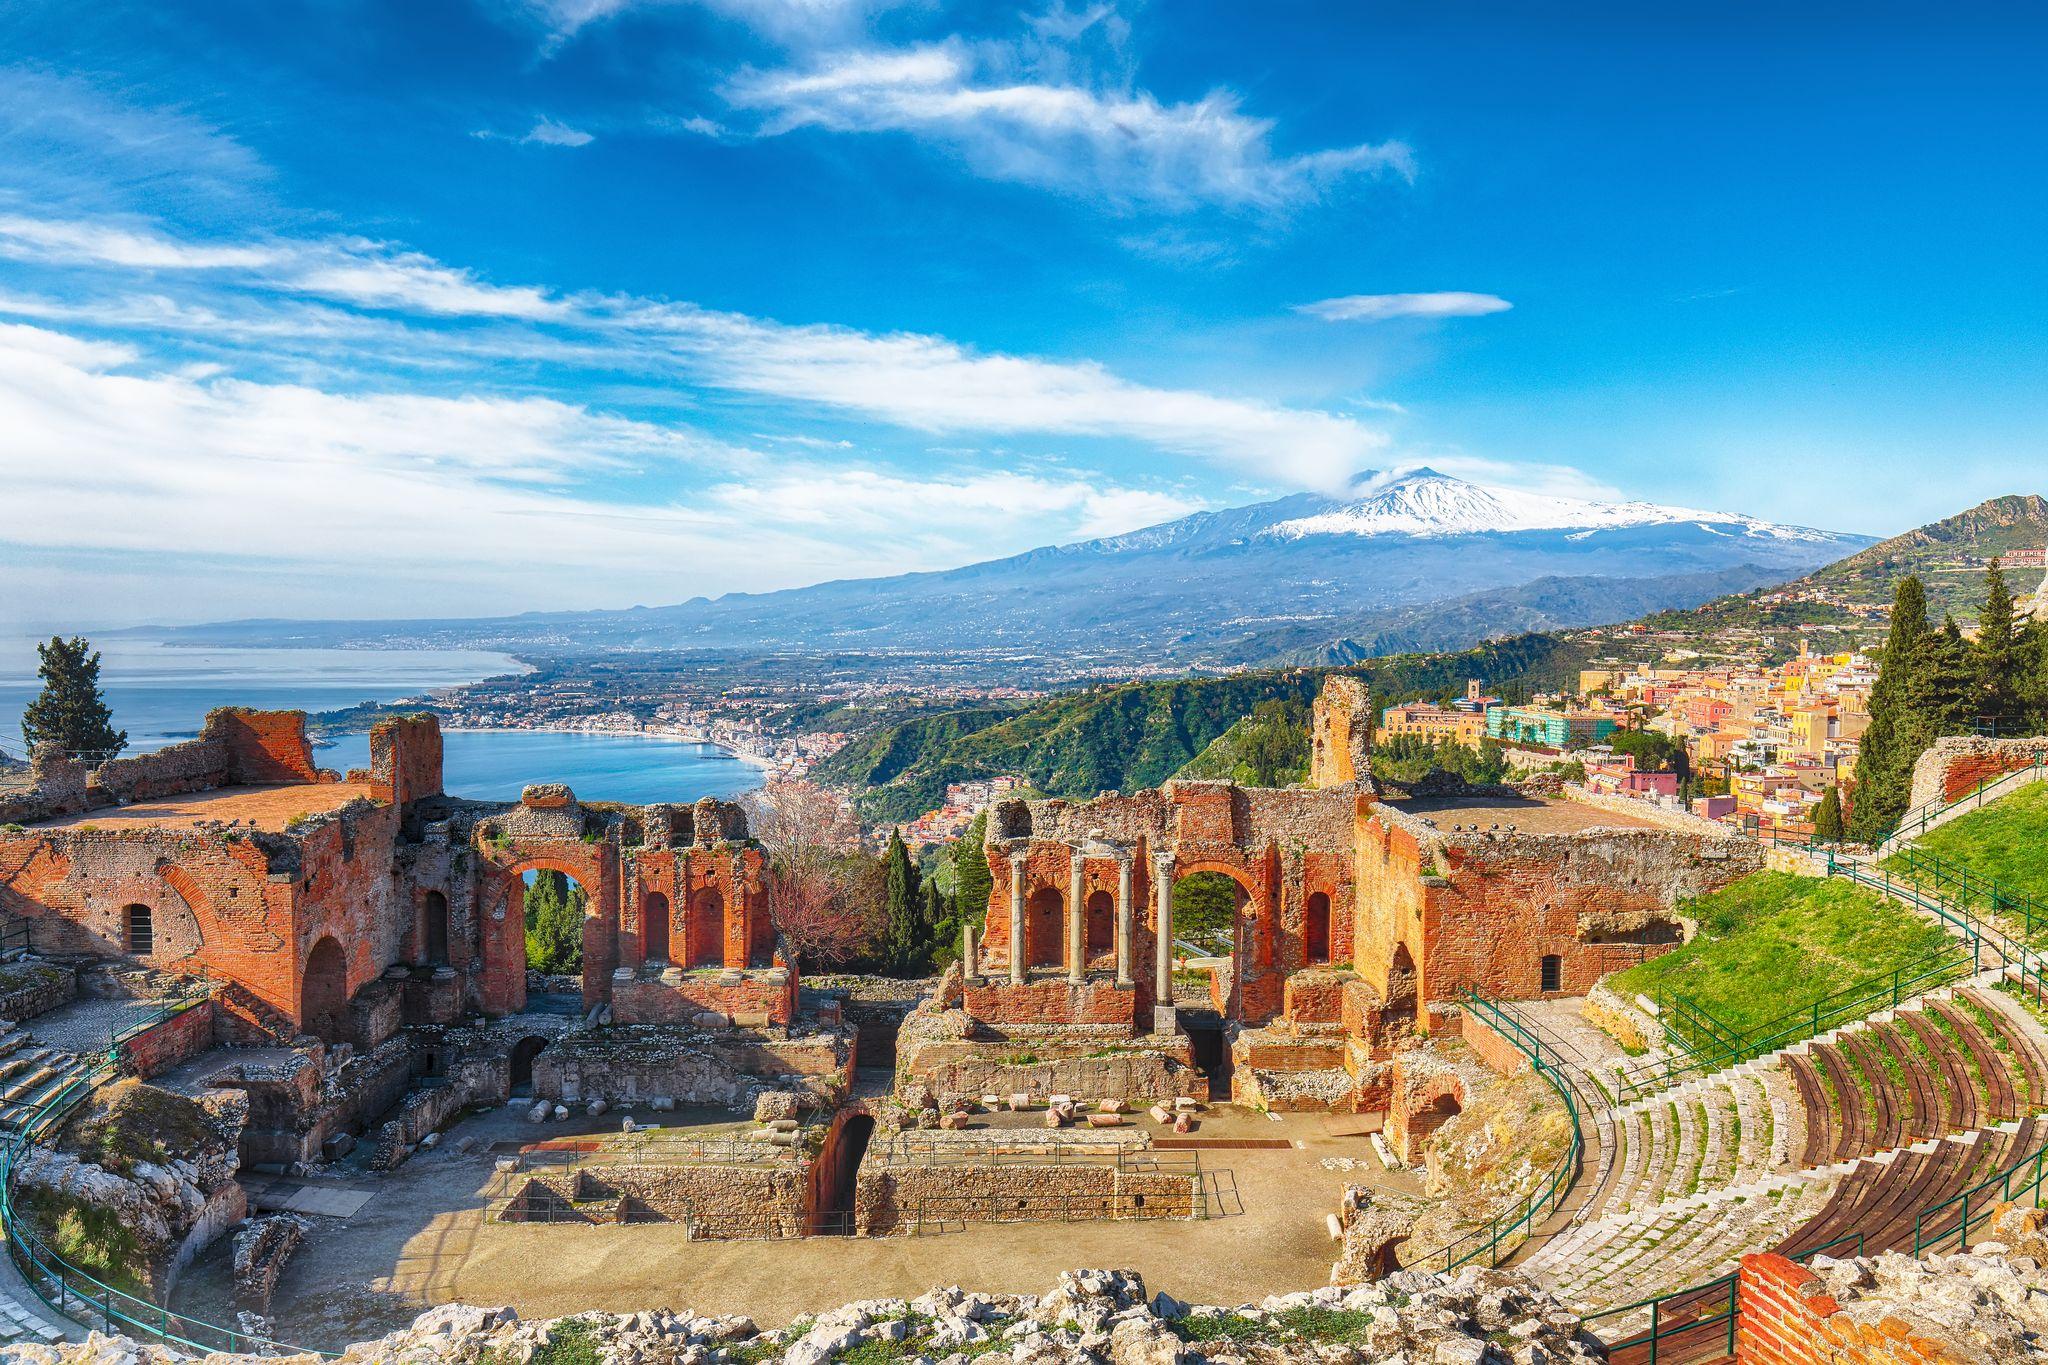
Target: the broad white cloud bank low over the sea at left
(185, 492)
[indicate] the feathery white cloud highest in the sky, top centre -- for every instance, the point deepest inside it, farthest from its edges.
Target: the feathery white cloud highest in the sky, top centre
(1125, 148)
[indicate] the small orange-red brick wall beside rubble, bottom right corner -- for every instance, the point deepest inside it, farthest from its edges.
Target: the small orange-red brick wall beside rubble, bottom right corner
(1787, 1319)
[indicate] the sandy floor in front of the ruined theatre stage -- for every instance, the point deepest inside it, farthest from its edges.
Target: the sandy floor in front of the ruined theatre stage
(423, 1241)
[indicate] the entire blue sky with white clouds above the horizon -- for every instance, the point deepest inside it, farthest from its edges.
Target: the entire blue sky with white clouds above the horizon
(480, 306)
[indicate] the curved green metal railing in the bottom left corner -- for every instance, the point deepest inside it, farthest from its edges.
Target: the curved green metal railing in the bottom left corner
(67, 1290)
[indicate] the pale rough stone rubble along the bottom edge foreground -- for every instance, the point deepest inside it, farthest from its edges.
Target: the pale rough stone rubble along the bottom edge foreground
(1089, 1319)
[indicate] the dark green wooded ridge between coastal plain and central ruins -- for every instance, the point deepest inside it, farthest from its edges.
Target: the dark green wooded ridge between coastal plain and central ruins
(1136, 736)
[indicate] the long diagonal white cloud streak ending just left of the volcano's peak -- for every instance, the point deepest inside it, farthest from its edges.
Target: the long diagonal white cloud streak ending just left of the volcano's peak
(908, 380)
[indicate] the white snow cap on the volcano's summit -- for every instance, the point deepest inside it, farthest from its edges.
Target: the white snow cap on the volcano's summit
(1431, 504)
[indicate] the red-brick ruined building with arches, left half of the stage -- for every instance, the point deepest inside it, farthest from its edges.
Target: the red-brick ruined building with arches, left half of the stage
(341, 906)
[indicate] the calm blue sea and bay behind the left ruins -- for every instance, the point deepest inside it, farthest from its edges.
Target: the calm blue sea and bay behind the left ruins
(163, 693)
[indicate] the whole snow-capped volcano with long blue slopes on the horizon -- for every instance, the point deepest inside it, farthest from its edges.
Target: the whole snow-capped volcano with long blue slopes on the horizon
(1412, 562)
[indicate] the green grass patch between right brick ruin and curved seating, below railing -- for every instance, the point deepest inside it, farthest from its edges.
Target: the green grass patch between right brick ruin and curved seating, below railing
(1775, 942)
